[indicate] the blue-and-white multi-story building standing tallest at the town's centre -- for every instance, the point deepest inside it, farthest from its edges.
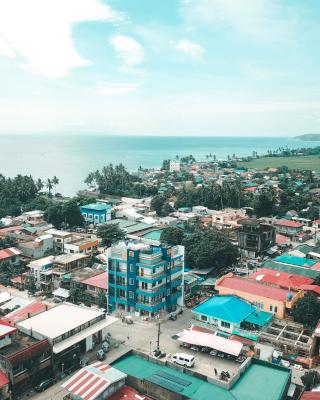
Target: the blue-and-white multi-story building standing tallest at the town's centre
(145, 278)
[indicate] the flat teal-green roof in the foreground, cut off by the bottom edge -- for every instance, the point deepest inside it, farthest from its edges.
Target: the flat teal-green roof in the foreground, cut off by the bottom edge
(254, 383)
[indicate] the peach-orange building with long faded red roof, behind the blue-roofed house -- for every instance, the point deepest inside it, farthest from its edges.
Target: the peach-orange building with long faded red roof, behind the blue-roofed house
(265, 297)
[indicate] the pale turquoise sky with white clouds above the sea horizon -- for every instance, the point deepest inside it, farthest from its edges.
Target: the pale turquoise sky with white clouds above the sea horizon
(160, 67)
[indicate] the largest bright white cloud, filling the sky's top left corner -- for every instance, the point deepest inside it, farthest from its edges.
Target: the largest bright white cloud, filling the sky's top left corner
(39, 31)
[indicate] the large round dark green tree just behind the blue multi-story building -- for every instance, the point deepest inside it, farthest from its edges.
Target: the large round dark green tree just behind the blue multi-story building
(209, 247)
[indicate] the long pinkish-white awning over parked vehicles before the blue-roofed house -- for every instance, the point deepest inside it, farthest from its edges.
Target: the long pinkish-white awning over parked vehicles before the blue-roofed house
(212, 341)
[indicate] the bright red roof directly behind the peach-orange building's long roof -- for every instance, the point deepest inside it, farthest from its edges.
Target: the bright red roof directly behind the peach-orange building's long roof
(282, 279)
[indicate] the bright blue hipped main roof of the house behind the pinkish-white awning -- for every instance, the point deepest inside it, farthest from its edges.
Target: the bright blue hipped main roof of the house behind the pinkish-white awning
(226, 308)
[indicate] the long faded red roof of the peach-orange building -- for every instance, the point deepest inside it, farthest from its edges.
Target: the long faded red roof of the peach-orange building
(252, 287)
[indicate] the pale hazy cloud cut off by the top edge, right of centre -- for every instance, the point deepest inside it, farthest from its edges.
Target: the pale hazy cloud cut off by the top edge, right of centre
(260, 19)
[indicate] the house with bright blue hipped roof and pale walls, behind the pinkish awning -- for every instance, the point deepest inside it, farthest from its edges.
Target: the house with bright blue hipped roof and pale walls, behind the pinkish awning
(231, 315)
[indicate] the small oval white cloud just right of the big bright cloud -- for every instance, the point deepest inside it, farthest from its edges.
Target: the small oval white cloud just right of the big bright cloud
(129, 51)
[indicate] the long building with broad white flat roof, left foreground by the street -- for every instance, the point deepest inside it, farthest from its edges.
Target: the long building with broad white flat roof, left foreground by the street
(71, 331)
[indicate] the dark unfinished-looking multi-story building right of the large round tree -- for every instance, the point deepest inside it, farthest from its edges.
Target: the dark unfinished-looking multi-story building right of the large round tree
(255, 237)
